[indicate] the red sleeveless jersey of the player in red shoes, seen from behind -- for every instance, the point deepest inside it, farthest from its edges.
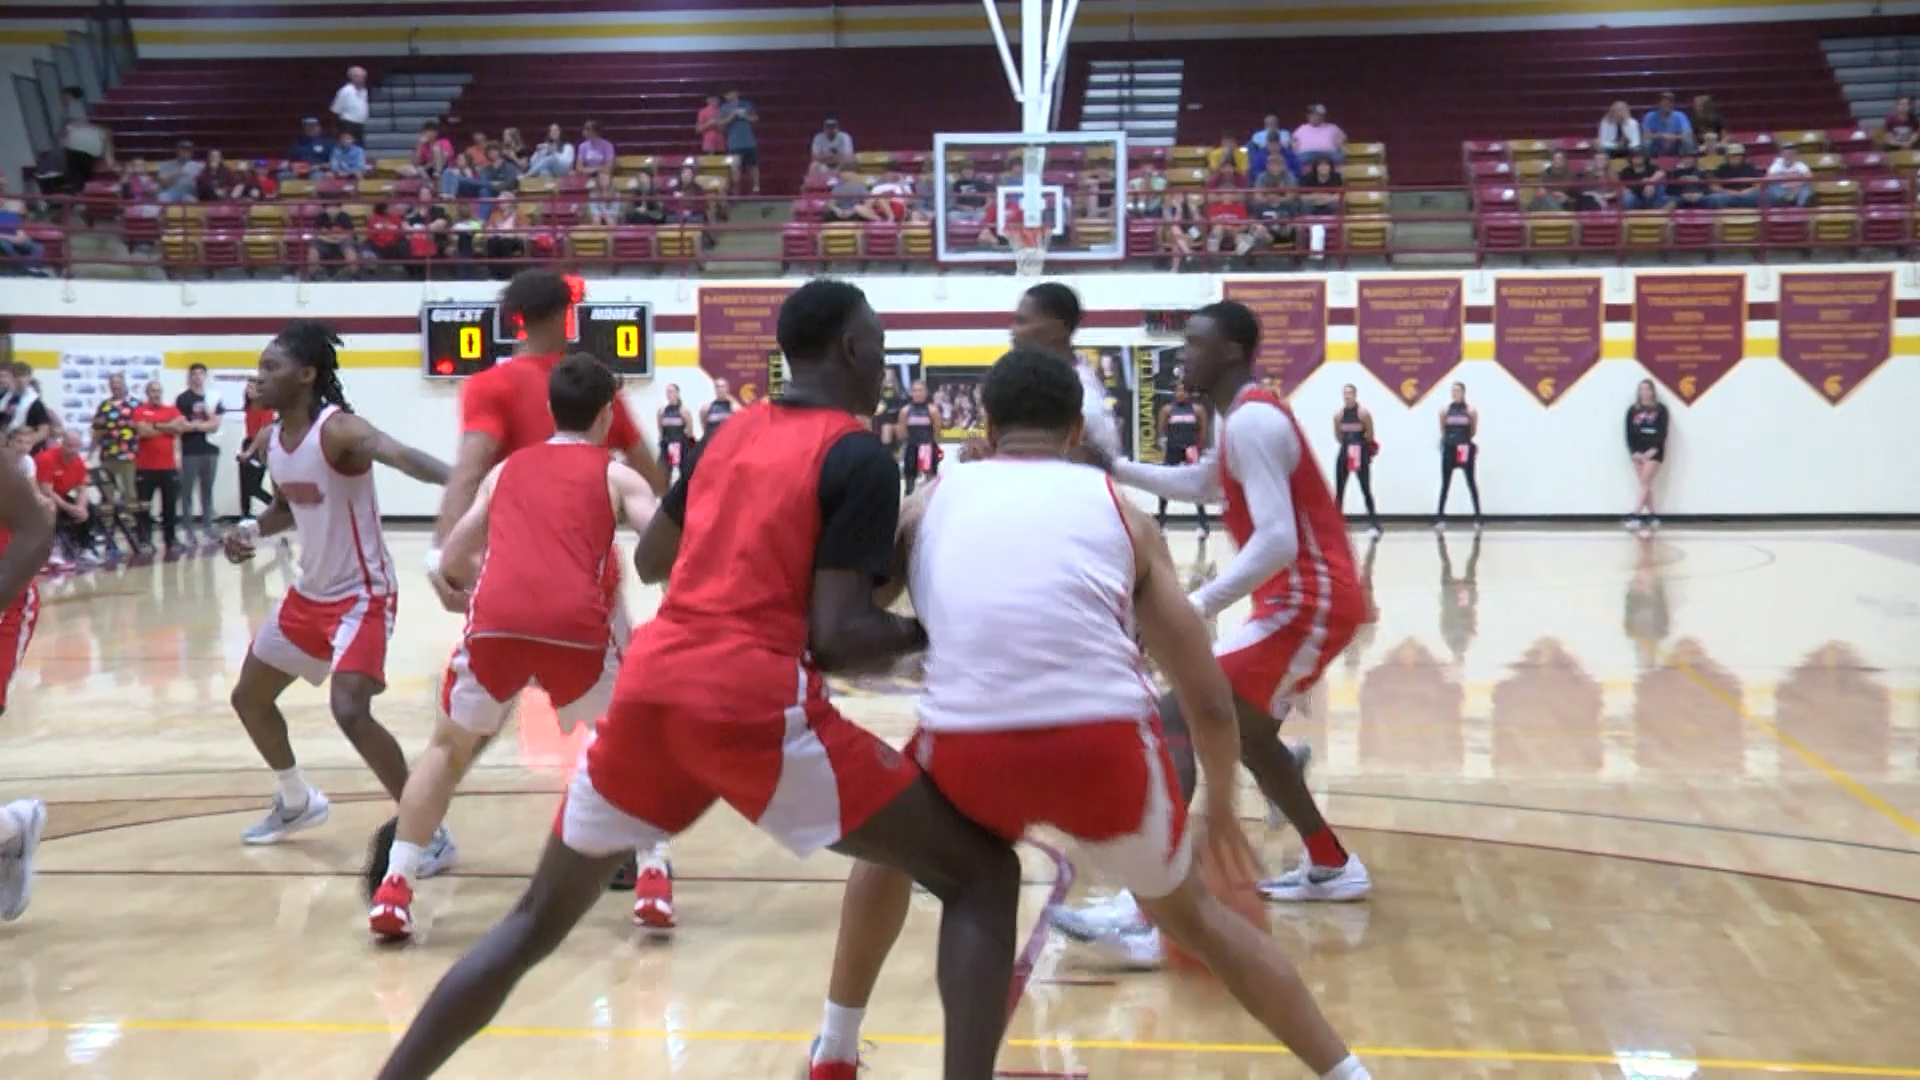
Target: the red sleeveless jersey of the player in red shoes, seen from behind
(550, 539)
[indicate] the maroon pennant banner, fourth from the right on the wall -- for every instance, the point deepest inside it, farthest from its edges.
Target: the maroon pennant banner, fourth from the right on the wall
(1410, 331)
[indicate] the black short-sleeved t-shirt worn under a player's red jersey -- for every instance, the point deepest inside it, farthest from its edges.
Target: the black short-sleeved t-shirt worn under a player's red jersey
(859, 504)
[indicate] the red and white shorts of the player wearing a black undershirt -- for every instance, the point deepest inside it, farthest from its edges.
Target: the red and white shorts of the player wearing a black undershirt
(805, 775)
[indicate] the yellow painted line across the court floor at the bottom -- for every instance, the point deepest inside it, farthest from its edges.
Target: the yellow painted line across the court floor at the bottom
(802, 1039)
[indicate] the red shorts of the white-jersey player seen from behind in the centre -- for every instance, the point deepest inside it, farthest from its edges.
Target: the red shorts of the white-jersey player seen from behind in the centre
(1107, 785)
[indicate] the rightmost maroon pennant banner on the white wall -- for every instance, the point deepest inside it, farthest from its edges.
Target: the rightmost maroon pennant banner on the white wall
(1836, 328)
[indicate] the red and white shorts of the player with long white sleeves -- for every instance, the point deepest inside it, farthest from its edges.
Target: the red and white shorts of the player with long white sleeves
(1284, 654)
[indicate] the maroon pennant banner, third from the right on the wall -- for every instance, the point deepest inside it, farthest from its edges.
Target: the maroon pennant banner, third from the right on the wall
(1548, 331)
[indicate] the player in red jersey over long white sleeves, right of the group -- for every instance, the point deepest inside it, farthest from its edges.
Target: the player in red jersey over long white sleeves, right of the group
(1308, 602)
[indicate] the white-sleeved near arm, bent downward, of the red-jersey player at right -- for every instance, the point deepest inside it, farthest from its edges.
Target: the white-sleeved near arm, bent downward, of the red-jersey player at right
(1266, 447)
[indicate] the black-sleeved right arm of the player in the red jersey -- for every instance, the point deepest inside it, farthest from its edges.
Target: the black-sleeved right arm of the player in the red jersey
(859, 526)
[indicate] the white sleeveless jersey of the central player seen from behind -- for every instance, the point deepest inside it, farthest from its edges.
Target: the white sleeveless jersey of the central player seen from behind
(1024, 576)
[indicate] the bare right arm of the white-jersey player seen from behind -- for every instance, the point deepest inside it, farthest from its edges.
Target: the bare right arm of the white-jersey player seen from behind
(1178, 643)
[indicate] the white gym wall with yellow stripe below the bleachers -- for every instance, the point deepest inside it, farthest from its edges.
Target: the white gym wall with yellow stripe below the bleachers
(1760, 443)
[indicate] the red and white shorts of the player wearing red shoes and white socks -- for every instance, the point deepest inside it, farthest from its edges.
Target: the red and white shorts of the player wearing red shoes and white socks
(487, 675)
